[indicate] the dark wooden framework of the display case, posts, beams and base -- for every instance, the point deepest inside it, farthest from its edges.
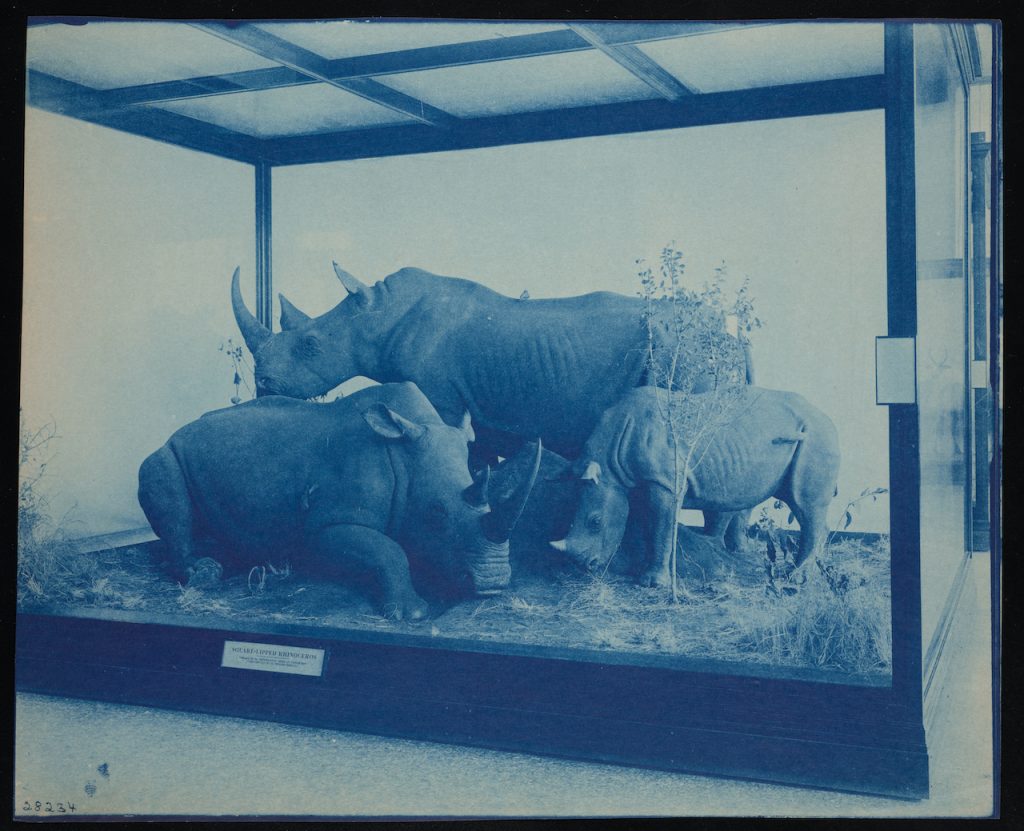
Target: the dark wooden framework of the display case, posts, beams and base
(693, 717)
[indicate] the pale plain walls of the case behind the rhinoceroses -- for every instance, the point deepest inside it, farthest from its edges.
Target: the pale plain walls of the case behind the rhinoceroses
(131, 245)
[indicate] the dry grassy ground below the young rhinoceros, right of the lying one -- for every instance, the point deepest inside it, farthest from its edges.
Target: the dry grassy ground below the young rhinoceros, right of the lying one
(837, 620)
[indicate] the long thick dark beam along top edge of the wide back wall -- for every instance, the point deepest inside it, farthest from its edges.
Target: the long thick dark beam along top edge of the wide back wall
(792, 101)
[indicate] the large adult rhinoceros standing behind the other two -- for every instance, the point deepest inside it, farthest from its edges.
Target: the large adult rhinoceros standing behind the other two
(524, 369)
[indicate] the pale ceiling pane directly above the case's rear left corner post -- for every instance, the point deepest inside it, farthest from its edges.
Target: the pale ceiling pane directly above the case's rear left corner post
(288, 111)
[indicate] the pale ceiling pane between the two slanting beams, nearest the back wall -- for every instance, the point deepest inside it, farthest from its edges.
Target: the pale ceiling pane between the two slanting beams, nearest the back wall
(527, 84)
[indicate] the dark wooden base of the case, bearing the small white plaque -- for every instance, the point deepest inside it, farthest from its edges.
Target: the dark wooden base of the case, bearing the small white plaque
(541, 701)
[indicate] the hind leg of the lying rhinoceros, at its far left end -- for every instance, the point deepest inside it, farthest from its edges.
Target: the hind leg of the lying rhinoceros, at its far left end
(164, 498)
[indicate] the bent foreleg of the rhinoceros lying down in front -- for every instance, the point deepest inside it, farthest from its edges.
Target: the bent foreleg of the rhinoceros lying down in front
(339, 552)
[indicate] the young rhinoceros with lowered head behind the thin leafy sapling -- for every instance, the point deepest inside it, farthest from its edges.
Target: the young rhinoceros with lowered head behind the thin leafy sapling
(745, 446)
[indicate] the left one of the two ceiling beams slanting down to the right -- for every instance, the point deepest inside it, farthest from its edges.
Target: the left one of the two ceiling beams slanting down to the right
(265, 45)
